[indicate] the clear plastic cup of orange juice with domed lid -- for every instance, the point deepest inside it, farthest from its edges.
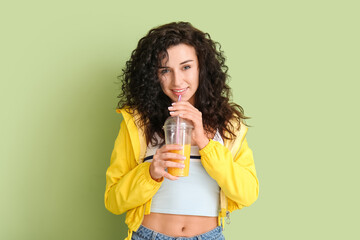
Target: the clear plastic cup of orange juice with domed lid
(178, 131)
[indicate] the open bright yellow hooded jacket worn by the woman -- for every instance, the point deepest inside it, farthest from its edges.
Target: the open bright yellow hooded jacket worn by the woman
(130, 188)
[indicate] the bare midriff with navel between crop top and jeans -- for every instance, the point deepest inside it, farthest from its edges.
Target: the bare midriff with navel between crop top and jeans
(179, 225)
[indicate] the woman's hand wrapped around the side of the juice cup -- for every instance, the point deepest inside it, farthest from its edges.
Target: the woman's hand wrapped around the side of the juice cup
(161, 161)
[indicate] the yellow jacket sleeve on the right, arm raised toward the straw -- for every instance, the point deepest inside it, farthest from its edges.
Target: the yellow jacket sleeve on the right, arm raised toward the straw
(236, 175)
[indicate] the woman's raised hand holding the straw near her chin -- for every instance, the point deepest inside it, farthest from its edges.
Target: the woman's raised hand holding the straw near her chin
(187, 111)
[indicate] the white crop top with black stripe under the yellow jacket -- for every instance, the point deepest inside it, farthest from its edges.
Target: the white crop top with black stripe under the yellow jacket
(196, 194)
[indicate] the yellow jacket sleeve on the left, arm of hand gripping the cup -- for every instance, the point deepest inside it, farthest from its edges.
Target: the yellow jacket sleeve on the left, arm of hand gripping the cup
(128, 184)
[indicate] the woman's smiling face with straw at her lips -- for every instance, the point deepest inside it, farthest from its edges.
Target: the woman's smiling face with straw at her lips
(179, 74)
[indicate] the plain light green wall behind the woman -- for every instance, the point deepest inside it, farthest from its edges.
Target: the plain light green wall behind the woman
(294, 68)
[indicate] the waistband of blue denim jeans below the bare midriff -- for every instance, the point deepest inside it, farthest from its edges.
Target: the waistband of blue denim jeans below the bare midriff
(144, 233)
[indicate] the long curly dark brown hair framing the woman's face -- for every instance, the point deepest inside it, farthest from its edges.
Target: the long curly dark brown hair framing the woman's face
(141, 90)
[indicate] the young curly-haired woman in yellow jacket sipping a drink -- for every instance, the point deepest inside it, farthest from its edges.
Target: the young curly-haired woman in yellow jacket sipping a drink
(171, 60)
